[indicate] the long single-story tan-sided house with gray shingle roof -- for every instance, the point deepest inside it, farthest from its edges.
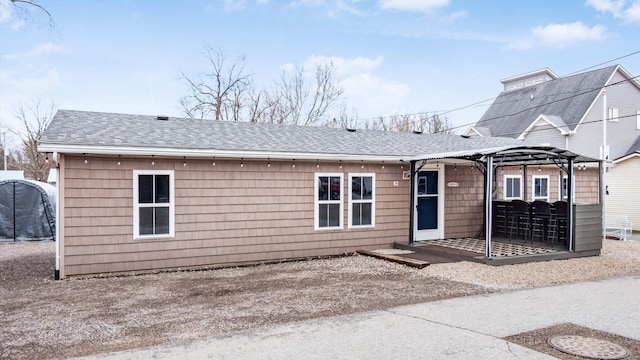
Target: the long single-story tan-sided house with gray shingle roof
(139, 192)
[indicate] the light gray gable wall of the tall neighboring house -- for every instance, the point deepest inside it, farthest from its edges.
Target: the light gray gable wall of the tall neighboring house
(621, 134)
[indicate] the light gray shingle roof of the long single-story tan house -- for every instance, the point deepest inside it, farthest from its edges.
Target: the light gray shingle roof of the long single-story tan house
(82, 129)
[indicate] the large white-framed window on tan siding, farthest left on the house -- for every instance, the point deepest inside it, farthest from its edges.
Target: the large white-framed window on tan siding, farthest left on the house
(153, 204)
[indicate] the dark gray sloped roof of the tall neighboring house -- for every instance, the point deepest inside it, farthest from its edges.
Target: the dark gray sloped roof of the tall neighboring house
(568, 98)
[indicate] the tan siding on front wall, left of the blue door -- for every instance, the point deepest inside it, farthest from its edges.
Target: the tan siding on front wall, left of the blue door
(224, 214)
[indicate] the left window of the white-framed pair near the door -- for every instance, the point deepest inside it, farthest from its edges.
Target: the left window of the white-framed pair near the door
(328, 201)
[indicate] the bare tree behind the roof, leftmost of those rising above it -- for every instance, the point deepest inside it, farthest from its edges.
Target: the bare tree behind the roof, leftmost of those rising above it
(220, 93)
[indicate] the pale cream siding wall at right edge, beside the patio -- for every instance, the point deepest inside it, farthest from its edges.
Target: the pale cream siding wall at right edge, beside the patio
(624, 191)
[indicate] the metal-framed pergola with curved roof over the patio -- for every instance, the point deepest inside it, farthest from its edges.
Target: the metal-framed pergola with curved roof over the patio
(490, 159)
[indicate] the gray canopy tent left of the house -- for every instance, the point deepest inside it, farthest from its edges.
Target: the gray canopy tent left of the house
(26, 211)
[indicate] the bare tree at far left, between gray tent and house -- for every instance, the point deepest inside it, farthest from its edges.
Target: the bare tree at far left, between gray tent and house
(34, 121)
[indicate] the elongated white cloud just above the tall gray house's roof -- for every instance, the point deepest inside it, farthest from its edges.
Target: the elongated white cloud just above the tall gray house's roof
(560, 35)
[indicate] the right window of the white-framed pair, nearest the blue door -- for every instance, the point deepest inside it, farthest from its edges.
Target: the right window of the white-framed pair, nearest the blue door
(362, 210)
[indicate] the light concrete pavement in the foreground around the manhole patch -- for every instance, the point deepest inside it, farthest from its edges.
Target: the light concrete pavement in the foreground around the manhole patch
(460, 328)
